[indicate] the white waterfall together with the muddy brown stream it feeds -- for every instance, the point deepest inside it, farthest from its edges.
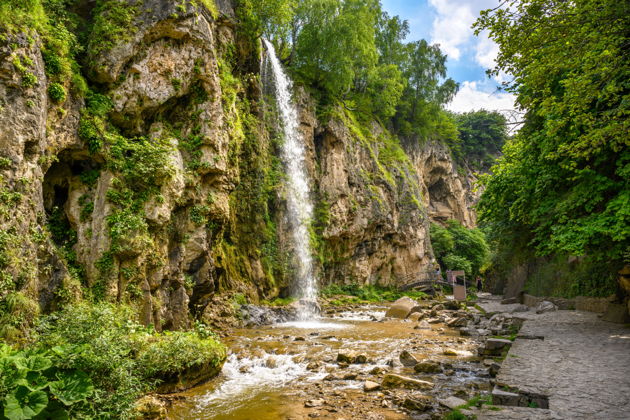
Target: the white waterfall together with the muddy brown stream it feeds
(271, 370)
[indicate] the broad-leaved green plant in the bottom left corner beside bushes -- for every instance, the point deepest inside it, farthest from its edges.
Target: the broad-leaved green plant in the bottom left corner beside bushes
(33, 387)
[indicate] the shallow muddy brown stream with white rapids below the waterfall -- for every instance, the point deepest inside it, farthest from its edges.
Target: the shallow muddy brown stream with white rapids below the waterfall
(267, 375)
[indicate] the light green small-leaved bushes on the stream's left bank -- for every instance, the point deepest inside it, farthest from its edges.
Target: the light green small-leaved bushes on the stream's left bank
(121, 358)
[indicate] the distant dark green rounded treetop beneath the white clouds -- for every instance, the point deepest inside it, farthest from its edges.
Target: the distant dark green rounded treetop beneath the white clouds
(482, 134)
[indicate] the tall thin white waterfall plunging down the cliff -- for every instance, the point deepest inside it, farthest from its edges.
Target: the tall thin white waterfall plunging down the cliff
(299, 205)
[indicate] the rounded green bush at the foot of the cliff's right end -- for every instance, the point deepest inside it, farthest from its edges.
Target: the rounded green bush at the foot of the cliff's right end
(459, 248)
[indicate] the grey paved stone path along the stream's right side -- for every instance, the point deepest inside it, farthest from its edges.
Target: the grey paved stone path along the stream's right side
(582, 365)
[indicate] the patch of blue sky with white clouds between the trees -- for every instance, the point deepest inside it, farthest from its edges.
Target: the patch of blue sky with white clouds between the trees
(447, 22)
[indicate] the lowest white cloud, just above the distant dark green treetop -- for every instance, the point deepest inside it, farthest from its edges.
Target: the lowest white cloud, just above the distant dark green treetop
(471, 98)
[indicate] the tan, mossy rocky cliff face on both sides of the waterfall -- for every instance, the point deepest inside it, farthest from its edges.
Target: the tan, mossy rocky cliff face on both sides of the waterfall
(160, 184)
